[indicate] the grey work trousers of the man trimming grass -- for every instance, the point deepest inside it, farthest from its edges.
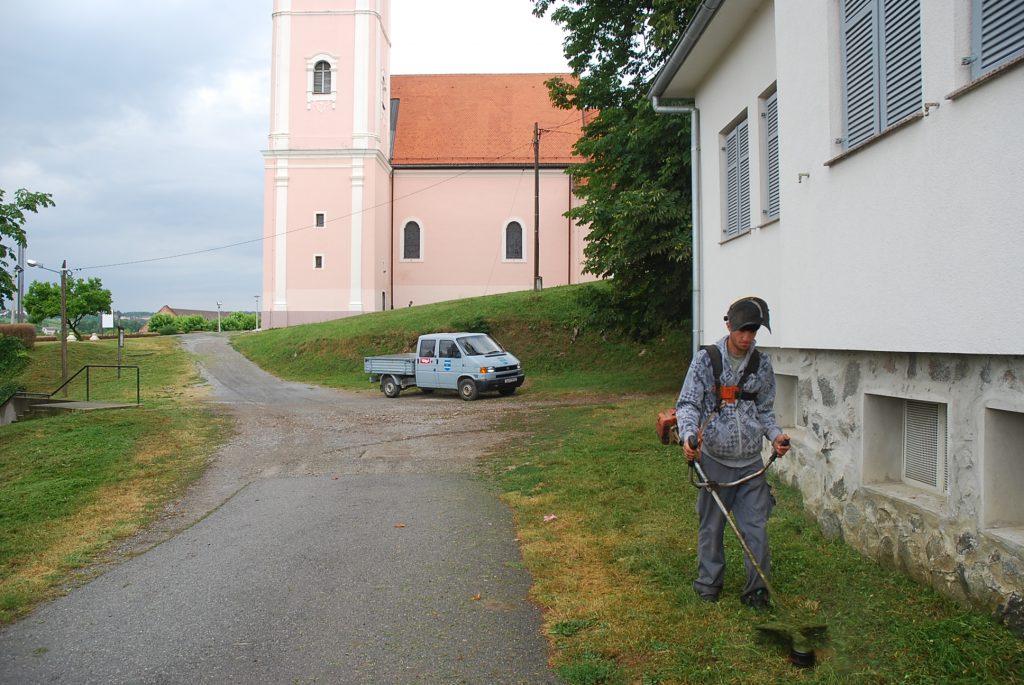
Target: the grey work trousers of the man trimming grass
(751, 504)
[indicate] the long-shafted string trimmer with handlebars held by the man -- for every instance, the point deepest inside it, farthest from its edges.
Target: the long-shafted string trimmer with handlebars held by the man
(802, 639)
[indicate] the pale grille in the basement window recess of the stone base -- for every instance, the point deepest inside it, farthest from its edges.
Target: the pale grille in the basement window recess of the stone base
(925, 446)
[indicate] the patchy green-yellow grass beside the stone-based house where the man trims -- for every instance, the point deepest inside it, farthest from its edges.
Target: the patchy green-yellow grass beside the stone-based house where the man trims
(613, 574)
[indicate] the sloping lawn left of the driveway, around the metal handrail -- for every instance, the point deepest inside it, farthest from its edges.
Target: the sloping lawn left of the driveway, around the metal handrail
(72, 486)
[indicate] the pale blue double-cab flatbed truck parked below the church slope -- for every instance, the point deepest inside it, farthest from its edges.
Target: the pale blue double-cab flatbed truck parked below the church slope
(468, 363)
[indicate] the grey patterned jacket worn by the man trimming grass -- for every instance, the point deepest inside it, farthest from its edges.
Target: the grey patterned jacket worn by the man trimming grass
(734, 437)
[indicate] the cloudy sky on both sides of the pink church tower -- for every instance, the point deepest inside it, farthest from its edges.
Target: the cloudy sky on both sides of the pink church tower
(146, 119)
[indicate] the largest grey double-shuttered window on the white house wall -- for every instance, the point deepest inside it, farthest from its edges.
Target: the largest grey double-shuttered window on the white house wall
(882, 69)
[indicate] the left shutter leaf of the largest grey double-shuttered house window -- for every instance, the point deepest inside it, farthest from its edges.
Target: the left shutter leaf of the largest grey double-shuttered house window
(862, 82)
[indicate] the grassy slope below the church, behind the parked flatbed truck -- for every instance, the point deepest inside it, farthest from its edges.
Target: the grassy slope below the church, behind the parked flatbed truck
(545, 331)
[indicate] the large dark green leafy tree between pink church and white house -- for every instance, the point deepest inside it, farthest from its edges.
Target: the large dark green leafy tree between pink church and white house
(636, 178)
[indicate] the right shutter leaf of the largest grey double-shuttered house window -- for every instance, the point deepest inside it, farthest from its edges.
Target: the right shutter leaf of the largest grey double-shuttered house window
(902, 60)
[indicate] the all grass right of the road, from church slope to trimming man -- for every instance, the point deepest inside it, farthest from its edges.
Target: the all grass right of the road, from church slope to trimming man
(613, 572)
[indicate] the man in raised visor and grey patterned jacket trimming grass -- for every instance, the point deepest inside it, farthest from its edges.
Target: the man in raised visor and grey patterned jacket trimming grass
(730, 413)
